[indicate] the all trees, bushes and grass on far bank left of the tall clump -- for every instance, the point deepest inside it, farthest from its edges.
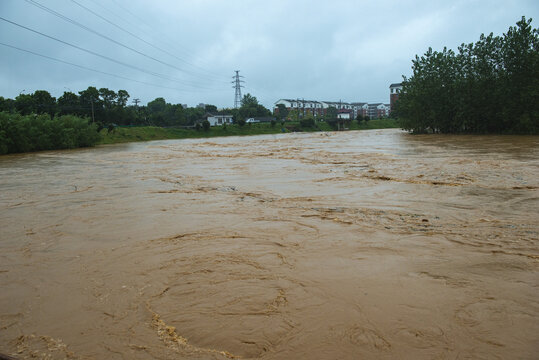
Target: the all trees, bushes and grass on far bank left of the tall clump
(39, 122)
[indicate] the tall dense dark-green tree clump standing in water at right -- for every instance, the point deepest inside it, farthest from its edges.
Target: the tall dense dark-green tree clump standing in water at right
(490, 86)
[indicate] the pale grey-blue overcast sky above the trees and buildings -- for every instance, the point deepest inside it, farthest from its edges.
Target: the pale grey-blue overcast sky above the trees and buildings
(187, 51)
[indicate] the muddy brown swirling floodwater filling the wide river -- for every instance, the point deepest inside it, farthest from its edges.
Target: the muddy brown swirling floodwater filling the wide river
(354, 245)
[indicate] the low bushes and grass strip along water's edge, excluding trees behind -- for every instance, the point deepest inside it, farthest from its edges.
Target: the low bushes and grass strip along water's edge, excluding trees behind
(26, 133)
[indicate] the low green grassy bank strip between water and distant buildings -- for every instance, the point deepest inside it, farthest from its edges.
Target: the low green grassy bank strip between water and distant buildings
(147, 133)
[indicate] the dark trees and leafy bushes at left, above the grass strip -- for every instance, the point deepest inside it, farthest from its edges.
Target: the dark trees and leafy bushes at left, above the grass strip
(39, 121)
